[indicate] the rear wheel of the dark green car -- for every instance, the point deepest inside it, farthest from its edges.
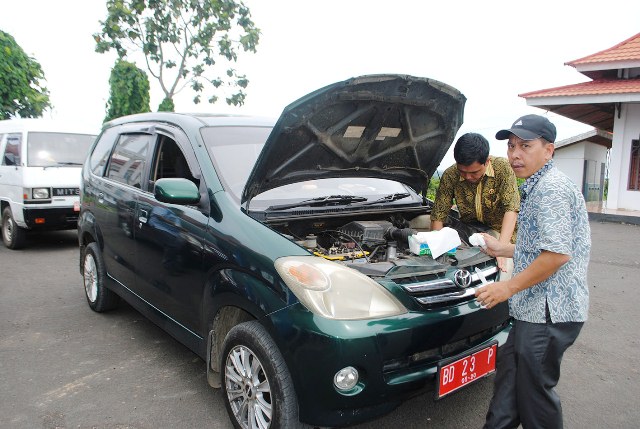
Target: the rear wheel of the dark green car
(93, 274)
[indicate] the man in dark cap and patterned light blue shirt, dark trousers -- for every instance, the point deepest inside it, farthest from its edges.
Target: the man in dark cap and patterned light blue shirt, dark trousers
(548, 293)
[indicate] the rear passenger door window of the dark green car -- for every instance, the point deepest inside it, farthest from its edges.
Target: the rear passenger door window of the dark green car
(127, 164)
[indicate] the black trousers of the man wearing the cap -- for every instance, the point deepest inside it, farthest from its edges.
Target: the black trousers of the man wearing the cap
(527, 371)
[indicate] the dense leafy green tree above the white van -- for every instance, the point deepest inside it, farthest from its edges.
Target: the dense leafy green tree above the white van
(21, 90)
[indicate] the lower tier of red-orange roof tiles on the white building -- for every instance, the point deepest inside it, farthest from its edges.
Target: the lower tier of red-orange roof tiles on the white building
(596, 87)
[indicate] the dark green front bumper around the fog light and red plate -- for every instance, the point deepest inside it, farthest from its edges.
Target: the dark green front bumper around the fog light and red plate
(396, 357)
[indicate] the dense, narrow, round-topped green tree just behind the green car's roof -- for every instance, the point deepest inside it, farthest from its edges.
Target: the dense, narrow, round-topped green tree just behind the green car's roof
(129, 90)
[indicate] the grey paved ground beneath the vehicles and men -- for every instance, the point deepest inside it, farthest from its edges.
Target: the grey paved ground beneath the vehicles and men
(64, 366)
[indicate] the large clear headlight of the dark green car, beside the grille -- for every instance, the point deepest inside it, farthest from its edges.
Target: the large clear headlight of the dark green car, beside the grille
(334, 291)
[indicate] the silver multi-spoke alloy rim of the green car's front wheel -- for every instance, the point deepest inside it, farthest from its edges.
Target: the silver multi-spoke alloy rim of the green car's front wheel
(248, 389)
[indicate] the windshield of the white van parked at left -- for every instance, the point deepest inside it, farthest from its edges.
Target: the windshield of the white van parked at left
(46, 149)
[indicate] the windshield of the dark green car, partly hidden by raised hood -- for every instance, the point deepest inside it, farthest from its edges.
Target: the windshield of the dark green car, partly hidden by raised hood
(234, 151)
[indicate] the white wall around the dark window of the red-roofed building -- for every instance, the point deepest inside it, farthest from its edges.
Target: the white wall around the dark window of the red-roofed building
(625, 129)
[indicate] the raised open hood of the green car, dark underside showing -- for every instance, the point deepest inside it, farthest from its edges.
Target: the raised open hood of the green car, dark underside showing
(393, 127)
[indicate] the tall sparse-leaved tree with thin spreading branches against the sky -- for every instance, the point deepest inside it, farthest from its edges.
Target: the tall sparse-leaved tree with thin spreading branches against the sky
(185, 43)
